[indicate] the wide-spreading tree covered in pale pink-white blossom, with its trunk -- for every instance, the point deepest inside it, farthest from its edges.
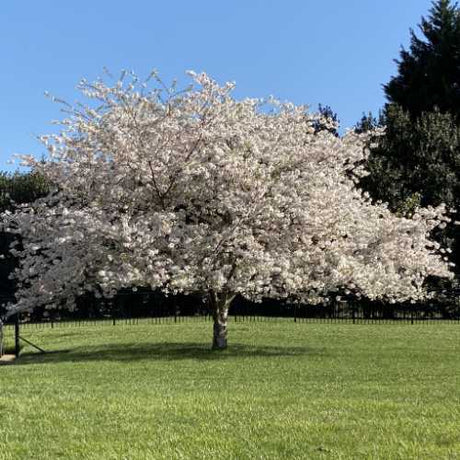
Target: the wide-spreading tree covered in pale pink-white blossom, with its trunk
(194, 191)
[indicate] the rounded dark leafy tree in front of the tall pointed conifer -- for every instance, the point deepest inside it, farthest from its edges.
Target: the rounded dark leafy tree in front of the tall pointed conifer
(418, 157)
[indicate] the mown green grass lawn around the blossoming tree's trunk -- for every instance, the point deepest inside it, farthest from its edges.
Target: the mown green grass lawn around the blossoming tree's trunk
(282, 390)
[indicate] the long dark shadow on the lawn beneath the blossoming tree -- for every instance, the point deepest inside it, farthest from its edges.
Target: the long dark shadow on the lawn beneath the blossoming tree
(161, 352)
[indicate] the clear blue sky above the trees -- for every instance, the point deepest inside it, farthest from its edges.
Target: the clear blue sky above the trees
(336, 52)
